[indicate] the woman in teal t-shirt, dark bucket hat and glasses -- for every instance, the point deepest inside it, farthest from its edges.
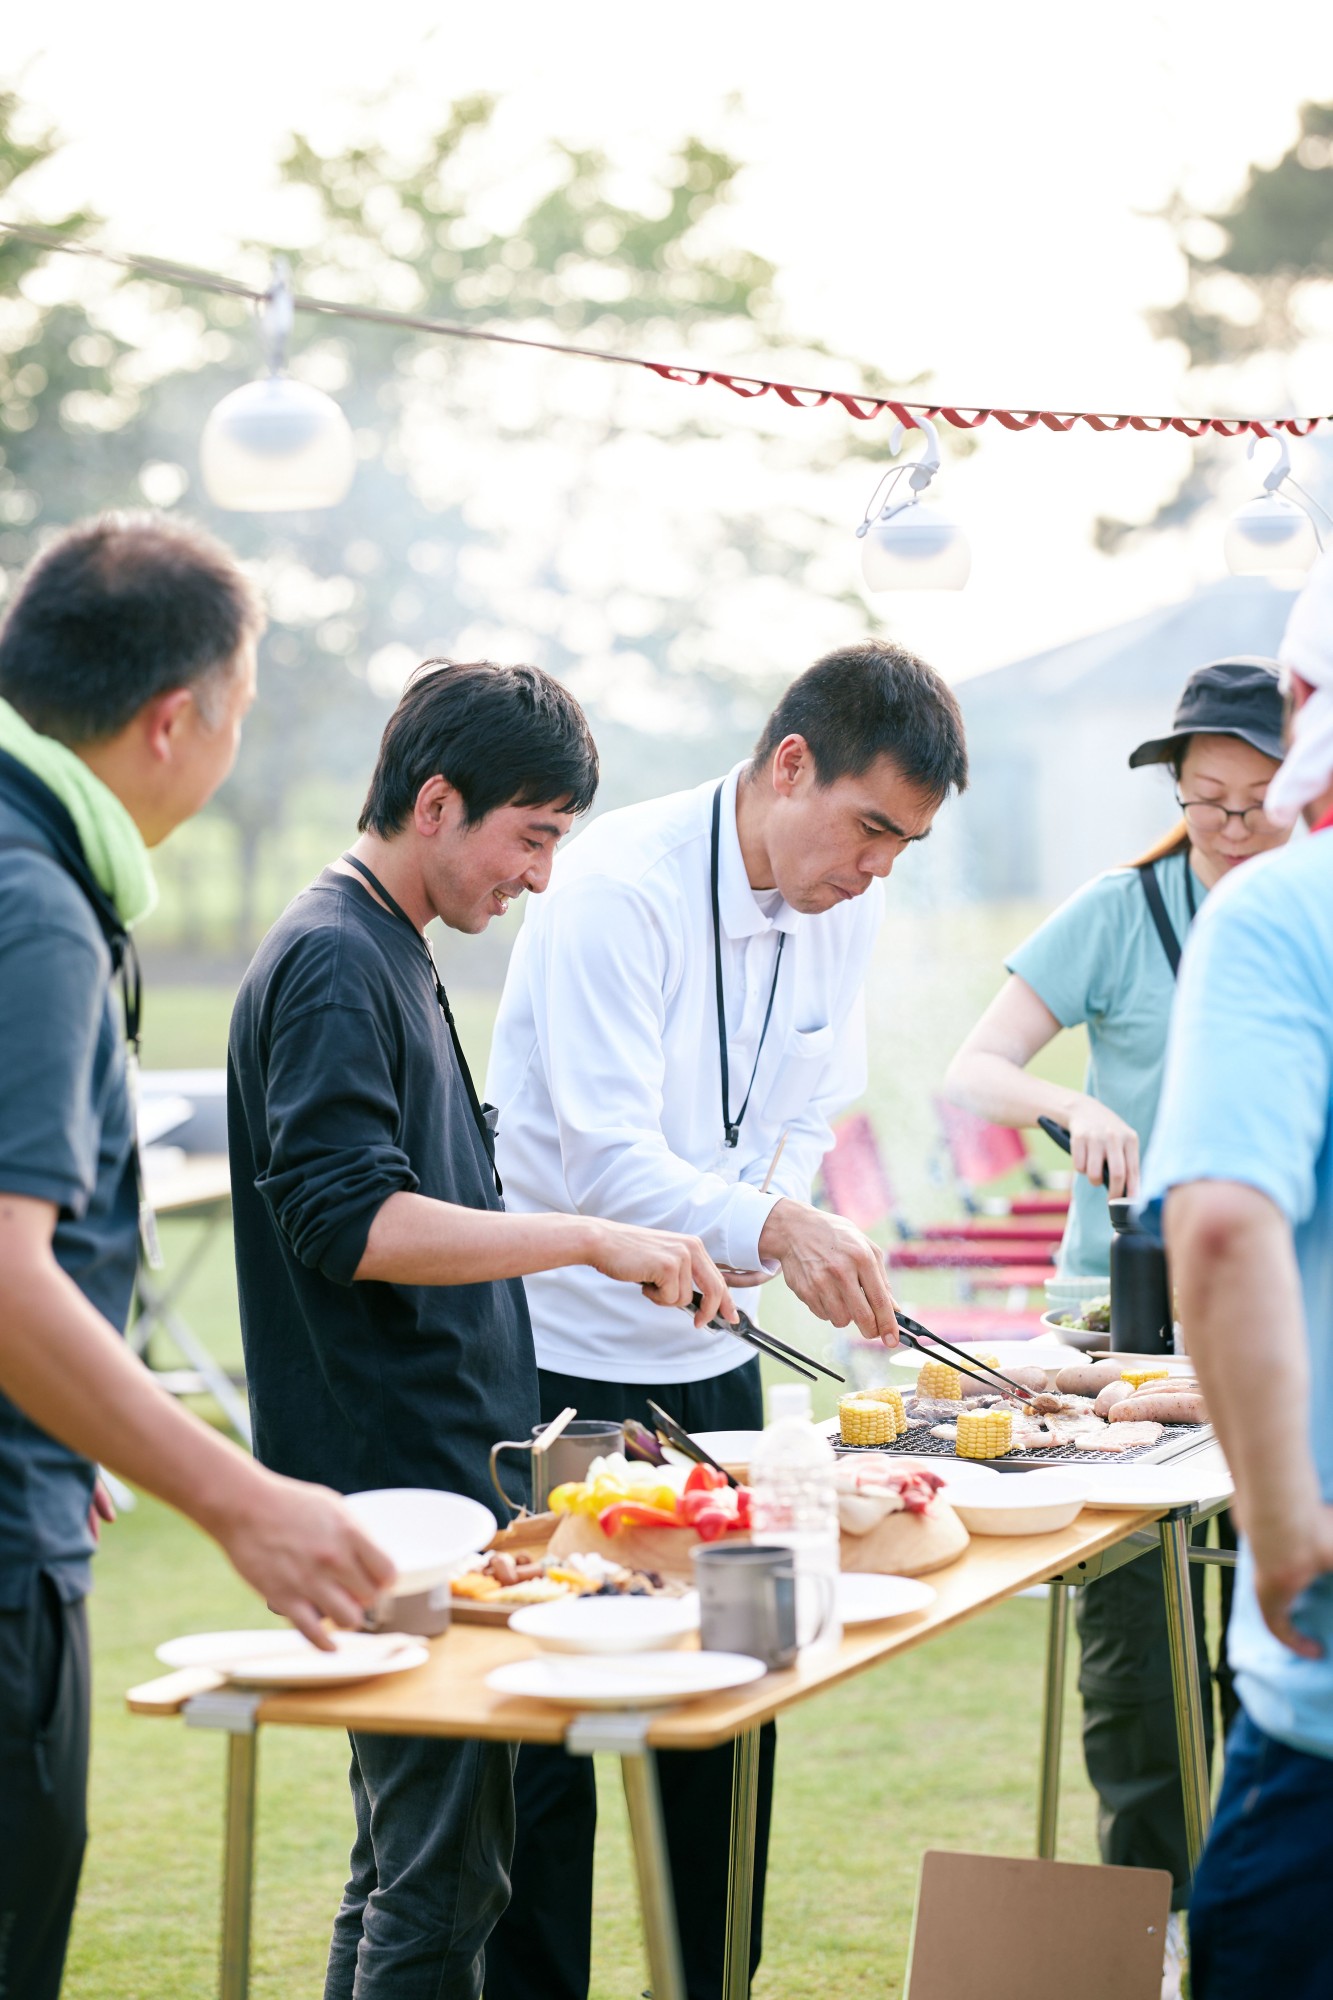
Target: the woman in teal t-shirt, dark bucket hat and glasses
(1108, 961)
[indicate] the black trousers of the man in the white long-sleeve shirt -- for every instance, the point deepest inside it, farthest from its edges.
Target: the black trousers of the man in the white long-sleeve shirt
(543, 1945)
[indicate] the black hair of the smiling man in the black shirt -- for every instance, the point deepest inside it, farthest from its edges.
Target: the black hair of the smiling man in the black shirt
(499, 735)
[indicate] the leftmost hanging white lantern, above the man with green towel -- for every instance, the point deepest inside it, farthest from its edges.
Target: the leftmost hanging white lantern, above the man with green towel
(277, 445)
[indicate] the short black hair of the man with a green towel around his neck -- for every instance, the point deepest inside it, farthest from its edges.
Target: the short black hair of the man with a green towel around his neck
(115, 613)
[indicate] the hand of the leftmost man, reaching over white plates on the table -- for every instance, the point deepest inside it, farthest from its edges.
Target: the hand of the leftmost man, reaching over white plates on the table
(305, 1555)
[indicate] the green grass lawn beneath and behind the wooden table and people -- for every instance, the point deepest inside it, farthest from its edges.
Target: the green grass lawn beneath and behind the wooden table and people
(936, 1751)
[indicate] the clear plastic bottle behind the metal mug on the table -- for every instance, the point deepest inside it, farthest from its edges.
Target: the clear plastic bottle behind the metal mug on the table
(798, 1507)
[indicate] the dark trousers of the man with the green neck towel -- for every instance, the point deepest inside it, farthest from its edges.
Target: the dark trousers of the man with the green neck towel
(43, 1787)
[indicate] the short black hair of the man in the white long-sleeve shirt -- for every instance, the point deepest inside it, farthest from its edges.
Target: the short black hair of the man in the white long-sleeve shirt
(872, 701)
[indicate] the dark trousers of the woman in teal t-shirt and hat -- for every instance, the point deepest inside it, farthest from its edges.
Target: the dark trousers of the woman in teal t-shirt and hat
(1130, 1741)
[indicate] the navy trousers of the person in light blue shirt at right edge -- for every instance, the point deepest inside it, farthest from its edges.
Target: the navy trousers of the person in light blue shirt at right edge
(1260, 1915)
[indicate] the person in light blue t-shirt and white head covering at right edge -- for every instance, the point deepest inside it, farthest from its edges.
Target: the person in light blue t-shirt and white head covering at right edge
(1244, 1157)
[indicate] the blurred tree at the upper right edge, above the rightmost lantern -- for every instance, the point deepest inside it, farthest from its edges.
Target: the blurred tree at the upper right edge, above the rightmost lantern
(1258, 285)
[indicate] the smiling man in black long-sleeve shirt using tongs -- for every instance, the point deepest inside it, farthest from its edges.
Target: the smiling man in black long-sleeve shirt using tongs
(385, 1327)
